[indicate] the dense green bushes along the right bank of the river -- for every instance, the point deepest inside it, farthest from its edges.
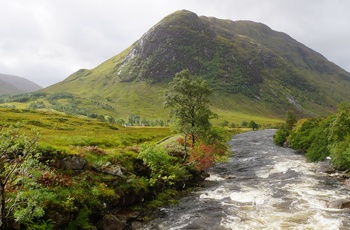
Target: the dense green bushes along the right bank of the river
(319, 138)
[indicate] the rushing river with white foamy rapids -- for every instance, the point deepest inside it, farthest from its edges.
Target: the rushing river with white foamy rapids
(263, 186)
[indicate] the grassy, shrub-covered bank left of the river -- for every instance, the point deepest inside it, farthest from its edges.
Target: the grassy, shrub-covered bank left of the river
(65, 172)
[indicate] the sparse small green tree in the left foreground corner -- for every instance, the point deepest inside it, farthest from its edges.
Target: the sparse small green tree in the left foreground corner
(21, 196)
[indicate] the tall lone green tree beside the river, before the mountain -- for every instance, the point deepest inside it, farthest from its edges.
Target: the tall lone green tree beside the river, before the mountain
(188, 97)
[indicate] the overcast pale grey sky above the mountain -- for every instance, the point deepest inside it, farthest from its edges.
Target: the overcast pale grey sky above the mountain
(47, 40)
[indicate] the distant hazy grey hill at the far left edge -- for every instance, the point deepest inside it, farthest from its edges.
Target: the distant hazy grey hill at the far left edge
(11, 85)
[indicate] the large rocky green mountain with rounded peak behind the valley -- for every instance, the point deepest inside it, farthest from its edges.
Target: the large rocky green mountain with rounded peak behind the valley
(252, 69)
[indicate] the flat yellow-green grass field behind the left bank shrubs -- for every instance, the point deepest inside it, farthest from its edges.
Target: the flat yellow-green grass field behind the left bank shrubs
(64, 131)
